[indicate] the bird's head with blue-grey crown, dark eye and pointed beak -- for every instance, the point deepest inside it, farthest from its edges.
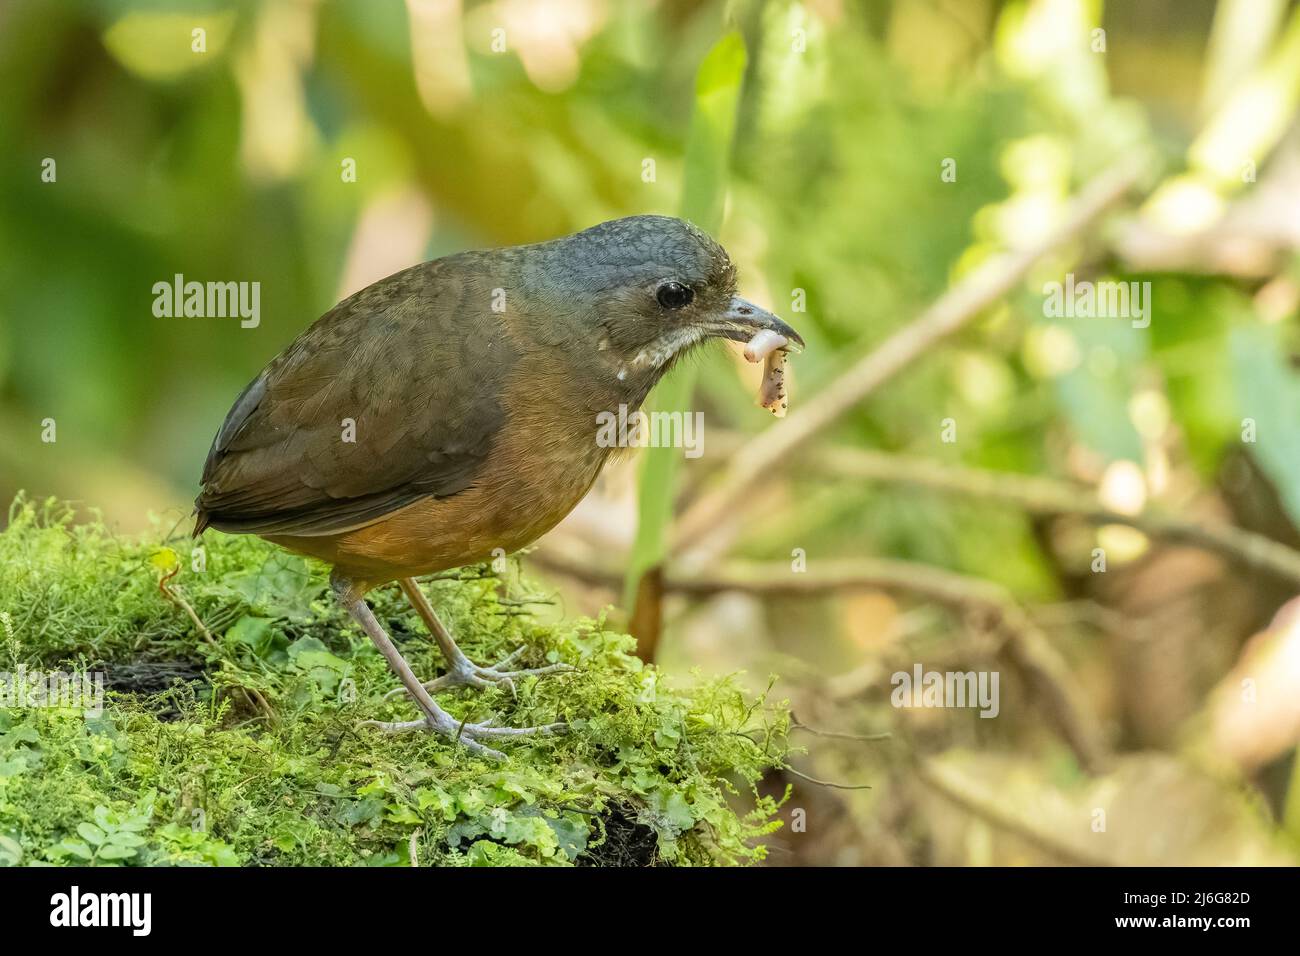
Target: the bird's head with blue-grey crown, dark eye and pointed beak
(657, 287)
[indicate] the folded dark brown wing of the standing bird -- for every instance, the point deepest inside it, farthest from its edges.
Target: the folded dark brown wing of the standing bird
(391, 397)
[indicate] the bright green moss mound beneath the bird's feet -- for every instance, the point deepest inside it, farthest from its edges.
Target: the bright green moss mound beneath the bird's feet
(187, 764)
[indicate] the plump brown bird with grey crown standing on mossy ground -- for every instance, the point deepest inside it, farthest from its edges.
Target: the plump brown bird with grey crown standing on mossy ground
(449, 413)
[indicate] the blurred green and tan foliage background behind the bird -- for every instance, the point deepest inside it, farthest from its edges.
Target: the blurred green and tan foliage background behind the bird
(1150, 712)
